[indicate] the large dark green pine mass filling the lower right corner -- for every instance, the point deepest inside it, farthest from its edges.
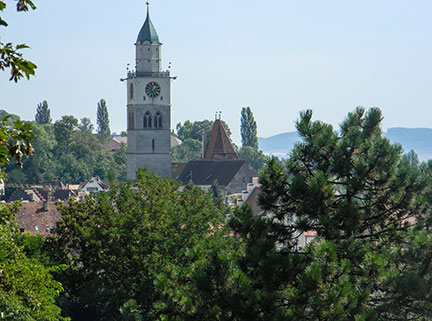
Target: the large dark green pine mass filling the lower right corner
(371, 259)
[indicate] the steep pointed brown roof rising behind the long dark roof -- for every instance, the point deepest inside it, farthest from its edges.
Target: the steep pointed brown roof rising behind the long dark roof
(219, 145)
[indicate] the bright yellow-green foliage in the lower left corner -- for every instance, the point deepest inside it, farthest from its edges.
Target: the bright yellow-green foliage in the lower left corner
(27, 289)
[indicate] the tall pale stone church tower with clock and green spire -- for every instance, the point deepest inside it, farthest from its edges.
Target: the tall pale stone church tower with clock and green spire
(148, 107)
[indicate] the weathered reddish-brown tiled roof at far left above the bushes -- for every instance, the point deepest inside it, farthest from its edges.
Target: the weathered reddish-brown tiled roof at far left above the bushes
(34, 219)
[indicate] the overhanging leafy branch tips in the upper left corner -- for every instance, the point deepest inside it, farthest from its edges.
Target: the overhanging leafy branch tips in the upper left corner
(10, 55)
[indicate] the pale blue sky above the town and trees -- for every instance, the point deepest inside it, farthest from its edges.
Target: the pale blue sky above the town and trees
(277, 56)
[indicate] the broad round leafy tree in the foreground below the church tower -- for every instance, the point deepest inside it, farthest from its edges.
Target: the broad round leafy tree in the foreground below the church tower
(122, 249)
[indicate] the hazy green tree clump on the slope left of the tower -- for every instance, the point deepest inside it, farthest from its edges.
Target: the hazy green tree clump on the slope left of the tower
(68, 152)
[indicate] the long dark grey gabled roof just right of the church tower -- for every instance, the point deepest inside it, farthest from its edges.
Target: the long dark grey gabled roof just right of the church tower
(206, 172)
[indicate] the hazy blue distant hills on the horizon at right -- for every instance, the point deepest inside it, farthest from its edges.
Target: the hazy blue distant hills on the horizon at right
(418, 139)
